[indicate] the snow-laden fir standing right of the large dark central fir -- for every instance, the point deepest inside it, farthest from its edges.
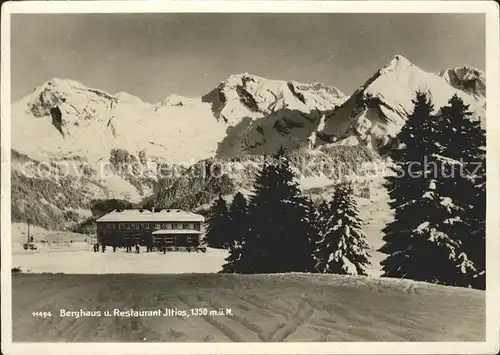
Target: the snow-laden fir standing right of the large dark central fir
(343, 248)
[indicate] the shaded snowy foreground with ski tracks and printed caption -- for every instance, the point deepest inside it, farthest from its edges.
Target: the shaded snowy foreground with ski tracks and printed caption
(249, 308)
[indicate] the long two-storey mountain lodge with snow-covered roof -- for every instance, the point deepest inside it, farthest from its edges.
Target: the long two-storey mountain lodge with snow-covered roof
(173, 227)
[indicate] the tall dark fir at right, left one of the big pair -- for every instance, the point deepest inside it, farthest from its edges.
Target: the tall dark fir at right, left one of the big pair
(418, 242)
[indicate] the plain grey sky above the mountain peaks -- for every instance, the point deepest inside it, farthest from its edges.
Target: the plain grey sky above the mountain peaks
(155, 55)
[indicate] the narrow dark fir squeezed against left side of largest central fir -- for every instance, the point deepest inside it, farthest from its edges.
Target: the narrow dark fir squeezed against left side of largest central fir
(238, 226)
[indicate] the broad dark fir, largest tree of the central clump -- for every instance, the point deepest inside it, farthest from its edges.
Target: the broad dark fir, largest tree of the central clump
(278, 239)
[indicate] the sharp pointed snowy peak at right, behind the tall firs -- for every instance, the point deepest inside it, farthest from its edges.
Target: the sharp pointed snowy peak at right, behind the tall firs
(377, 110)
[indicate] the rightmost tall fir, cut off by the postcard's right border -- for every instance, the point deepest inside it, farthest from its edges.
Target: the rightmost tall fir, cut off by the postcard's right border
(463, 157)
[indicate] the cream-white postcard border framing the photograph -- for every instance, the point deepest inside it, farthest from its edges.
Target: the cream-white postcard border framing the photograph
(489, 8)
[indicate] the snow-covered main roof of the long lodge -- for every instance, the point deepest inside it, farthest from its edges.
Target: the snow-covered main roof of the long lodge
(172, 215)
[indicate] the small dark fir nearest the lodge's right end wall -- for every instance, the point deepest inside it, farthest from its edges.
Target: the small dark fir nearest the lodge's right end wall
(217, 225)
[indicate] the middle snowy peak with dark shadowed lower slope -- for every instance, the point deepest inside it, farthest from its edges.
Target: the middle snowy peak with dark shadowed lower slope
(270, 114)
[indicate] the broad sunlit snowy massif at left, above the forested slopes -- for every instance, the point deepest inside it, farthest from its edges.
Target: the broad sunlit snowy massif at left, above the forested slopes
(68, 116)
